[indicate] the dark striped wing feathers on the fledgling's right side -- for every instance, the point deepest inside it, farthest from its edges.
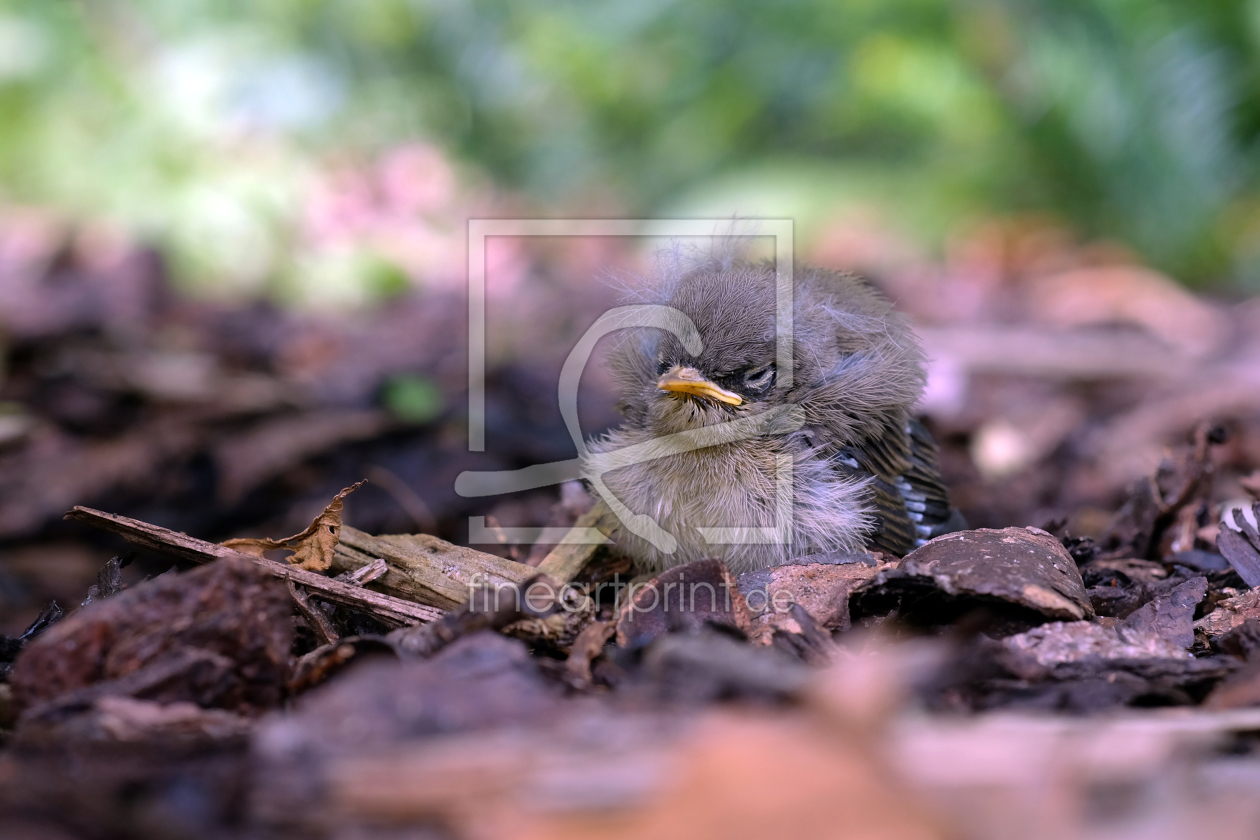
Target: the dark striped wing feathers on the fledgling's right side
(912, 504)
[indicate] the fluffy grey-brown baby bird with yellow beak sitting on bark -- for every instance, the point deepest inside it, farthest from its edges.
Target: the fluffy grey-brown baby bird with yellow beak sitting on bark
(862, 473)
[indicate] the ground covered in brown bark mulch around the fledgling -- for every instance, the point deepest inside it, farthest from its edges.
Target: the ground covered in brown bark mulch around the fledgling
(1092, 415)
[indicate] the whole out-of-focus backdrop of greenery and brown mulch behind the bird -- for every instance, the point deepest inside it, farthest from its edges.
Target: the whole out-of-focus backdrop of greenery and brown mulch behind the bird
(232, 239)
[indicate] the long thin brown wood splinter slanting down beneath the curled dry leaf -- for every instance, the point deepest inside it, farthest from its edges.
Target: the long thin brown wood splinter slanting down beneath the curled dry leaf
(395, 613)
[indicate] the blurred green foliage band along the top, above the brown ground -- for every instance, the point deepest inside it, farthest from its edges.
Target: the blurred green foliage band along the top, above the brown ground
(200, 123)
